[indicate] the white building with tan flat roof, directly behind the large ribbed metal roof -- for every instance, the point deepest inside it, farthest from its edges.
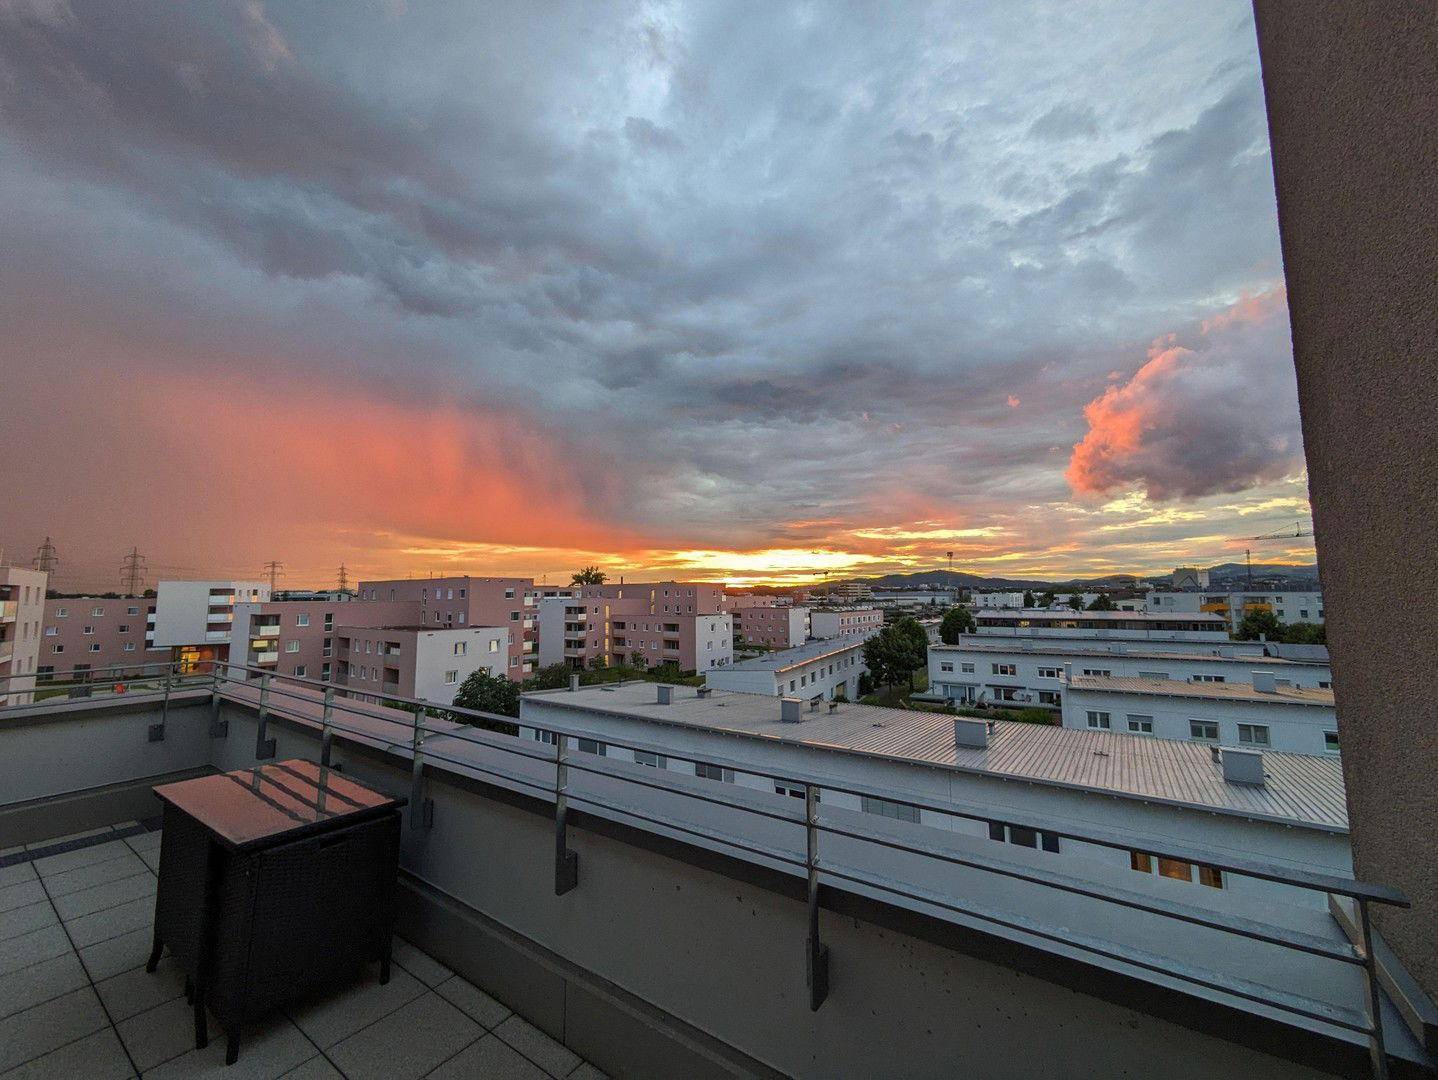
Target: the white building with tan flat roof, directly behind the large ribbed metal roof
(1269, 713)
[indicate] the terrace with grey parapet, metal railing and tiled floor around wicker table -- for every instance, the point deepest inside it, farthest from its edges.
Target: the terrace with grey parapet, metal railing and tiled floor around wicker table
(915, 923)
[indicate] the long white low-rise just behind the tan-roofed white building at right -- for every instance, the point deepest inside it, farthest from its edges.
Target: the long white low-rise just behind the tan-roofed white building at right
(1027, 672)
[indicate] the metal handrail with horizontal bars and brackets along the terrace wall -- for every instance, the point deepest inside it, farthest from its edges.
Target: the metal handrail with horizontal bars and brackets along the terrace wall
(423, 730)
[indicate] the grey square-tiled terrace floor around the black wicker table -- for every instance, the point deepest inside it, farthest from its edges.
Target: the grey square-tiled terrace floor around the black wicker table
(75, 1000)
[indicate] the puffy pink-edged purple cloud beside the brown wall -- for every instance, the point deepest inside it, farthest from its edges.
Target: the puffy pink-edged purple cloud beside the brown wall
(1217, 415)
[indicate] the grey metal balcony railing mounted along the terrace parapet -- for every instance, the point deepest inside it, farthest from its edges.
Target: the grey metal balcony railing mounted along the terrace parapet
(490, 747)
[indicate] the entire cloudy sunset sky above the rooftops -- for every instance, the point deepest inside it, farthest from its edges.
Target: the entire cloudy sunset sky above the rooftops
(747, 293)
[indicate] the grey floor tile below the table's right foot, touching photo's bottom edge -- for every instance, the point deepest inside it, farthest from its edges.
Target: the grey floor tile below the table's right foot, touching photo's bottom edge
(409, 1043)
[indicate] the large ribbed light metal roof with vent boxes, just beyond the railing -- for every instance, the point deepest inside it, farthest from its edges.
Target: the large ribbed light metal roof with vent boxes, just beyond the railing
(1302, 790)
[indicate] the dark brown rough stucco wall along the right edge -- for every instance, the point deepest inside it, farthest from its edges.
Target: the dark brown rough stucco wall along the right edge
(1351, 111)
